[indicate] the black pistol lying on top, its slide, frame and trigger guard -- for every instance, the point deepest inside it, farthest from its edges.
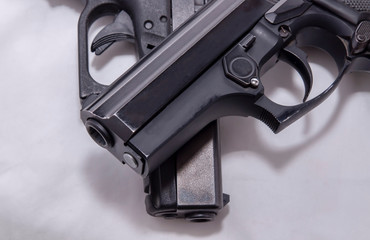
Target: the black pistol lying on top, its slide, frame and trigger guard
(144, 117)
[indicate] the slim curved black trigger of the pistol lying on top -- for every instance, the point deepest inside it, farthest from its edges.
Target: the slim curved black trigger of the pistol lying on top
(297, 58)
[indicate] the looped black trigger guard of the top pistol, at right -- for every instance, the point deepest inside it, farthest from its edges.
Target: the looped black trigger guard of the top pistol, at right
(327, 34)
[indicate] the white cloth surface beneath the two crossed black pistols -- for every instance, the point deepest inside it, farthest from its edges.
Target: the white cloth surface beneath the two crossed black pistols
(312, 181)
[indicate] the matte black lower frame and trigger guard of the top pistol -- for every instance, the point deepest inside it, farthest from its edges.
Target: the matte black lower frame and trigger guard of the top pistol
(226, 98)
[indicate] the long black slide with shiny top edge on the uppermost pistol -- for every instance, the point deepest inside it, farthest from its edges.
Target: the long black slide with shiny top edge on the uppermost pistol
(142, 92)
